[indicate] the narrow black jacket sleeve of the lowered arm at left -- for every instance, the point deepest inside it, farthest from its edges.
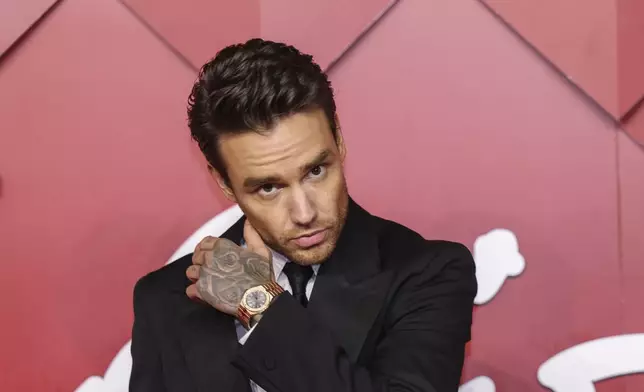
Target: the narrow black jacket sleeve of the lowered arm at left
(147, 375)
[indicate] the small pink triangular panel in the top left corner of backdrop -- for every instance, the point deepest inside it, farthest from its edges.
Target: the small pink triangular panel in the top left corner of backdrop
(17, 16)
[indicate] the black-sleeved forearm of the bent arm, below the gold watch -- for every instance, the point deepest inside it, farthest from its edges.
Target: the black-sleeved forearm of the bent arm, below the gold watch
(289, 351)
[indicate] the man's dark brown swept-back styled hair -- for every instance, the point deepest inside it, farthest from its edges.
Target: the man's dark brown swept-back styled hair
(250, 86)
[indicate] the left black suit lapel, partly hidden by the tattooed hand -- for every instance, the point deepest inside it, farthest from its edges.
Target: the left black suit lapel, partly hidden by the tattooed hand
(209, 341)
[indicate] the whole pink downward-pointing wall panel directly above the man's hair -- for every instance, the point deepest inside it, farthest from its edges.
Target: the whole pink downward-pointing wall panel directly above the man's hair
(197, 29)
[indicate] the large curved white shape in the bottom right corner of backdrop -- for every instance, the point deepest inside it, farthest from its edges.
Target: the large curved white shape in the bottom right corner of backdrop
(577, 368)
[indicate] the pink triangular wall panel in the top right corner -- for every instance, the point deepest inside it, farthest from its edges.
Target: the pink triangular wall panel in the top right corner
(598, 45)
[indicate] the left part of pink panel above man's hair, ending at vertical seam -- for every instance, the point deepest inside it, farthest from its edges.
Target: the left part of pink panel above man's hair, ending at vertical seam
(197, 29)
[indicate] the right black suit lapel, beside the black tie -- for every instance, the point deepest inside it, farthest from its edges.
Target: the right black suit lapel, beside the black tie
(350, 288)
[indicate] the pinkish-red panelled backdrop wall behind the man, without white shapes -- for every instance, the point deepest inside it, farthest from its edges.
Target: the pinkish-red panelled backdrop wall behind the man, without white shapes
(457, 117)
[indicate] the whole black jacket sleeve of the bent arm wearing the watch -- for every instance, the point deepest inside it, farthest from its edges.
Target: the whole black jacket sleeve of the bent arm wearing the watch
(421, 348)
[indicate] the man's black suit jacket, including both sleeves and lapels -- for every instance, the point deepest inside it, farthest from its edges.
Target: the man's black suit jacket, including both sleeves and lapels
(390, 311)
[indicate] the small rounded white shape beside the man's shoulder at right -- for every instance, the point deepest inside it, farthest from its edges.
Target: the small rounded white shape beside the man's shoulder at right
(497, 257)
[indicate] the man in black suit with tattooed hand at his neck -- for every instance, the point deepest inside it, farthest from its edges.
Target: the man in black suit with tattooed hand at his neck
(372, 306)
